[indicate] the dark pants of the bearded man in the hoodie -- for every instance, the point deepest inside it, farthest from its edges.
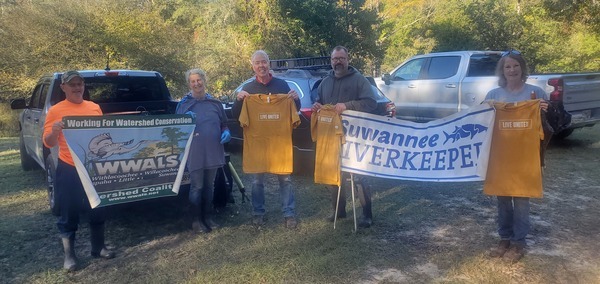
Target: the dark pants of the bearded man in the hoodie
(364, 195)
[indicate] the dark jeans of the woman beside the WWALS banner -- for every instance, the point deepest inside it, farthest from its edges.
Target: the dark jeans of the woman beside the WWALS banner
(202, 187)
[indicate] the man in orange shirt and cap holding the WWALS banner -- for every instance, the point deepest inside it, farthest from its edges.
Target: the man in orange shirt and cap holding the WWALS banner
(69, 191)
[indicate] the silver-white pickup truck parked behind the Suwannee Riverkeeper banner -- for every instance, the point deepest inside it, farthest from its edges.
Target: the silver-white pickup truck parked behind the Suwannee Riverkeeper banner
(435, 85)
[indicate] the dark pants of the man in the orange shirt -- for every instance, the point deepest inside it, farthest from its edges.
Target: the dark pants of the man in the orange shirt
(72, 201)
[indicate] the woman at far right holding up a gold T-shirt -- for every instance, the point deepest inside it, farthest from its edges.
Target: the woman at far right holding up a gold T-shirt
(514, 173)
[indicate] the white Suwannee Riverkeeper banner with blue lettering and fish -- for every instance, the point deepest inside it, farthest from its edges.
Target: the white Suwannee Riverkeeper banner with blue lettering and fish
(455, 148)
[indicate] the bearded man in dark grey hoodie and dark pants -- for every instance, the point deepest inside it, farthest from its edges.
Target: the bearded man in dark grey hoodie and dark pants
(346, 89)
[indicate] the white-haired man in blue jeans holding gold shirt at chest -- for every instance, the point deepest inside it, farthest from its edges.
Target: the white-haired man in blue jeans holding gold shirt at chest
(264, 83)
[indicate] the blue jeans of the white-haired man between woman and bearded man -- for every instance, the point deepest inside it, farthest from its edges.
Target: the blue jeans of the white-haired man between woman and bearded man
(285, 191)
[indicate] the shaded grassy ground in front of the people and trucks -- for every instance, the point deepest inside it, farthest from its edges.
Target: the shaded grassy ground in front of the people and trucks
(423, 233)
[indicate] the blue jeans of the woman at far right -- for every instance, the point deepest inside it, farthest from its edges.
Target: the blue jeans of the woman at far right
(513, 218)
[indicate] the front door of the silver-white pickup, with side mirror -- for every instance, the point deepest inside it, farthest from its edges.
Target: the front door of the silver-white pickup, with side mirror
(403, 89)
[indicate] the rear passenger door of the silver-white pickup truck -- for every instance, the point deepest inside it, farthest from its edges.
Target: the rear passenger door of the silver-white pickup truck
(440, 87)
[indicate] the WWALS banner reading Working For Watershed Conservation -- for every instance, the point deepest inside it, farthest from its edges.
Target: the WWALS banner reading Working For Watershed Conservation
(129, 158)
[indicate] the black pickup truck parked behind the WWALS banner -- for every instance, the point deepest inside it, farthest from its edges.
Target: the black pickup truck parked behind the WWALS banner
(116, 91)
